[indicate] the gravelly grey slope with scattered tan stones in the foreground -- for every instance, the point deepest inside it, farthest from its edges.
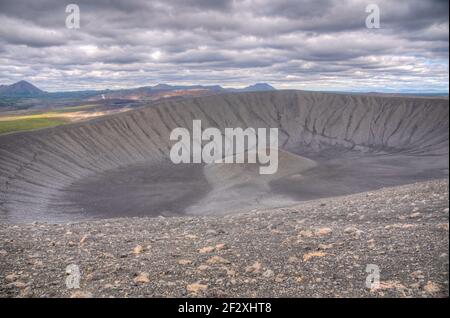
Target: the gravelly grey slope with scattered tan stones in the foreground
(319, 248)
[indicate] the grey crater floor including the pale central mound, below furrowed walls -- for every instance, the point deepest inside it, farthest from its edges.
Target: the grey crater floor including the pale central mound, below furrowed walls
(218, 189)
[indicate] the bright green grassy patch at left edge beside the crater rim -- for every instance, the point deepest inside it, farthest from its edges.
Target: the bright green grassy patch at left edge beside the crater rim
(28, 123)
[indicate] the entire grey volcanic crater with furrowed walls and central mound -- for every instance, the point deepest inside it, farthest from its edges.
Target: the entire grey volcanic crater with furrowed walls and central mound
(119, 166)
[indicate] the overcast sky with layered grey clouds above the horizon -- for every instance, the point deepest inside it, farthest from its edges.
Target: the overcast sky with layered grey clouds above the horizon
(313, 45)
